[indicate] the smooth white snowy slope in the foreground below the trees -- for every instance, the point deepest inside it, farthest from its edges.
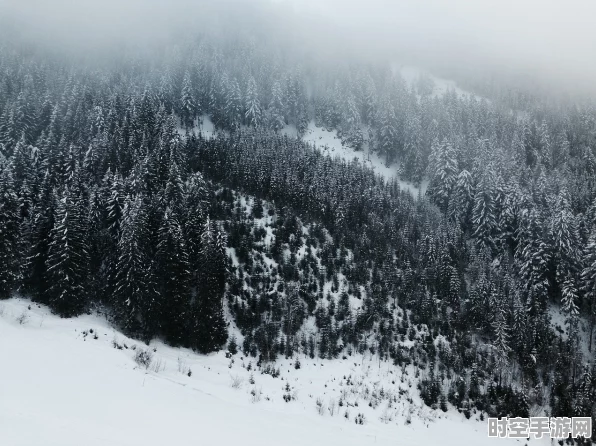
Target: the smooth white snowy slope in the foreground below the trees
(61, 386)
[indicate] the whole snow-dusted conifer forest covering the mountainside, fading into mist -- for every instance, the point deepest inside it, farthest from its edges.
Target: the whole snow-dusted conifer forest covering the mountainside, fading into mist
(104, 202)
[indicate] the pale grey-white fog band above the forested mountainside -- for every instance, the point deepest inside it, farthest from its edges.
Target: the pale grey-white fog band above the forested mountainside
(551, 42)
